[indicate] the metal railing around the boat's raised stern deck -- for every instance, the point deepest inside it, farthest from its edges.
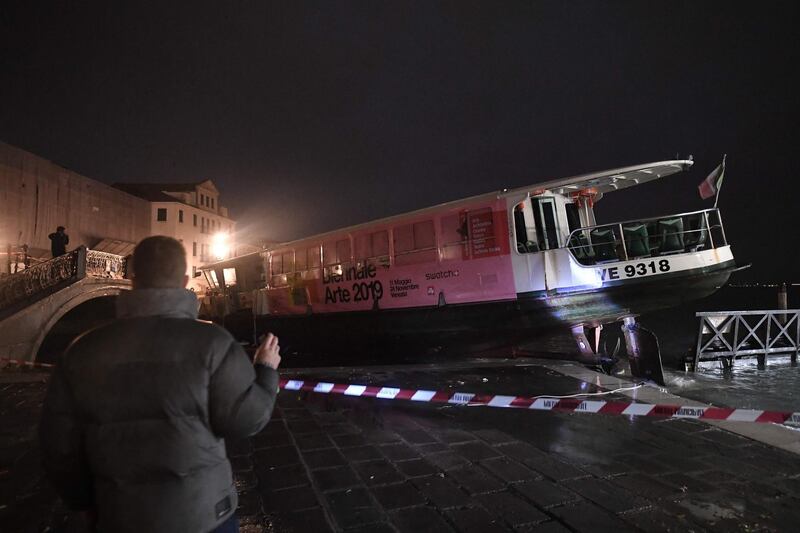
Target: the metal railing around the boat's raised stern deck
(649, 237)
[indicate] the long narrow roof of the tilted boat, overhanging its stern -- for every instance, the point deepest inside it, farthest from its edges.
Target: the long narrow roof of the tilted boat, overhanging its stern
(596, 183)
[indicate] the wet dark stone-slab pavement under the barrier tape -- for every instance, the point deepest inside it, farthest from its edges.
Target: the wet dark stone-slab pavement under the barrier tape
(336, 463)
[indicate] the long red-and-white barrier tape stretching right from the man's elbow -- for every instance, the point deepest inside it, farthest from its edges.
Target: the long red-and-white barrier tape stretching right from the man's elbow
(545, 403)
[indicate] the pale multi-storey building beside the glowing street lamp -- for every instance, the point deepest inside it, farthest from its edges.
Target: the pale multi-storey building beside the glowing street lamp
(191, 213)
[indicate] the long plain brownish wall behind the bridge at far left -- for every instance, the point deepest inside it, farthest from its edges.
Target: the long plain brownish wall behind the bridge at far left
(37, 195)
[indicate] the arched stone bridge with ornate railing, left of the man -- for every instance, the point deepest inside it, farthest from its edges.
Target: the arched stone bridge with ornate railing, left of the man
(46, 306)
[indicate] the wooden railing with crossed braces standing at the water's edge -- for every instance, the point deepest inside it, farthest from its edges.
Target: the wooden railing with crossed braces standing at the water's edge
(727, 335)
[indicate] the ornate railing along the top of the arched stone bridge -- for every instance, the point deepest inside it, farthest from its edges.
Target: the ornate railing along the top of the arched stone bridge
(24, 288)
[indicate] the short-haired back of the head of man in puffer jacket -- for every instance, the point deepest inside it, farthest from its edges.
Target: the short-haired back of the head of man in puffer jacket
(159, 263)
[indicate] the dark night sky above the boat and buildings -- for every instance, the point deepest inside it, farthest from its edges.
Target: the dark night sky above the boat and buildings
(316, 115)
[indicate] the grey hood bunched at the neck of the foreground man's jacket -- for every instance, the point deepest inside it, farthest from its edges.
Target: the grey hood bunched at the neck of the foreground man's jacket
(172, 303)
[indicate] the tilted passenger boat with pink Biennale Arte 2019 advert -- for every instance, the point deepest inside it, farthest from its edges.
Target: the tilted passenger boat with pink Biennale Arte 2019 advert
(488, 271)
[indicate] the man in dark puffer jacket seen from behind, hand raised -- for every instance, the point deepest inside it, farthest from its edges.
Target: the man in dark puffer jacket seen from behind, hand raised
(136, 413)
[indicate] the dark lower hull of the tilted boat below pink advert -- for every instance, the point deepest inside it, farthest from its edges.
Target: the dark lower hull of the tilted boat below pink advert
(458, 329)
